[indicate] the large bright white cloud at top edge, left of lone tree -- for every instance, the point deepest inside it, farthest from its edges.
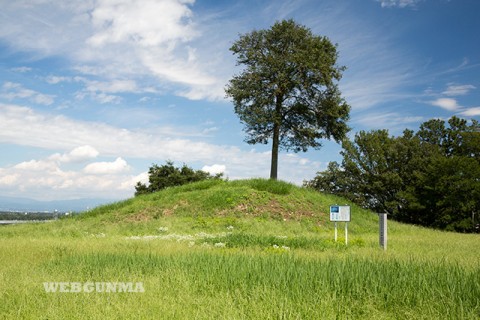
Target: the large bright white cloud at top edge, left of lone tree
(155, 37)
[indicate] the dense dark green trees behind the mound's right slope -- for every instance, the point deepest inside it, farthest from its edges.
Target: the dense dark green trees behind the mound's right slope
(430, 178)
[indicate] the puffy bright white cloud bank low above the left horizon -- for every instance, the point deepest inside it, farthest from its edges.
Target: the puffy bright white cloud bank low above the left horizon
(47, 179)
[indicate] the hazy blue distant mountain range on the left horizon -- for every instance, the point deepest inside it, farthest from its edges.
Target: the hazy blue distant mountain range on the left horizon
(30, 205)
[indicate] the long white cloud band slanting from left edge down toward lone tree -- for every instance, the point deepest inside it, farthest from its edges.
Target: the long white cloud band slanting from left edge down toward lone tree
(24, 126)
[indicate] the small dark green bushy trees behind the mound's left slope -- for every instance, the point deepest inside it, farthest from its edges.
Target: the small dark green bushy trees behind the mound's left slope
(167, 175)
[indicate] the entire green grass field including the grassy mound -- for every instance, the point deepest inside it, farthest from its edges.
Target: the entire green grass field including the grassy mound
(252, 249)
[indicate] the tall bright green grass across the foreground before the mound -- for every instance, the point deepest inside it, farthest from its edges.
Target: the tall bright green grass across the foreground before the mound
(182, 282)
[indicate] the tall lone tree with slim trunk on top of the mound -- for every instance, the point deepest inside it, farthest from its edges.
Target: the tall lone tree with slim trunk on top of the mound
(288, 91)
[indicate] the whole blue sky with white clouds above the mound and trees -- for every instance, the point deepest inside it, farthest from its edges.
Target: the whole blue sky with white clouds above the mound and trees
(94, 92)
